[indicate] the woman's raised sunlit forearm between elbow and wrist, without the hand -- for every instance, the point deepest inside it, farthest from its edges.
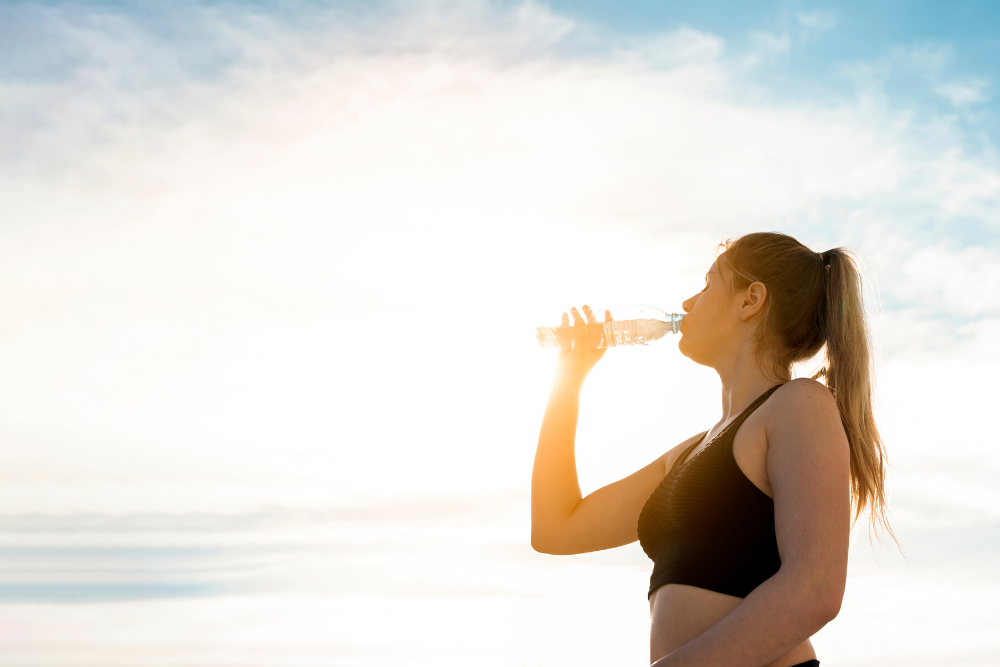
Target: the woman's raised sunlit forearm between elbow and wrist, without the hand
(555, 489)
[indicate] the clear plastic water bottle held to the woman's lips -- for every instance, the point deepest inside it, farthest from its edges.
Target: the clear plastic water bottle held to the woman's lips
(638, 325)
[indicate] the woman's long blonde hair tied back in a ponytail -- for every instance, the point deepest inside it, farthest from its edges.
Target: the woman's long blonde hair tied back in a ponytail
(814, 299)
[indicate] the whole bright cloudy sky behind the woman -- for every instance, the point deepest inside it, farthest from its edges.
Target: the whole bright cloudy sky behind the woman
(269, 275)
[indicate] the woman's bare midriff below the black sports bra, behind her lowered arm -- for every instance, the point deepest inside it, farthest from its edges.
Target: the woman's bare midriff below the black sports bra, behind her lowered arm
(679, 613)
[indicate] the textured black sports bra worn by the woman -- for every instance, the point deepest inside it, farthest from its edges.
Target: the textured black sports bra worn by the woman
(707, 525)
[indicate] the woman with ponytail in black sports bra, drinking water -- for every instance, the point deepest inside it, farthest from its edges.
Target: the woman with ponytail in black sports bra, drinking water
(747, 524)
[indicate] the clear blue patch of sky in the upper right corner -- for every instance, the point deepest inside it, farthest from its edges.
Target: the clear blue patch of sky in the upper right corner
(842, 49)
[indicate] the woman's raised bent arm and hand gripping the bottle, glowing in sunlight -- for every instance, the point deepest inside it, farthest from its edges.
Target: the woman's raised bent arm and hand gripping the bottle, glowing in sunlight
(562, 520)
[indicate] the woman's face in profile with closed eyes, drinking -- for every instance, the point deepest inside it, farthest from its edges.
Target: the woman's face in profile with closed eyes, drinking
(711, 320)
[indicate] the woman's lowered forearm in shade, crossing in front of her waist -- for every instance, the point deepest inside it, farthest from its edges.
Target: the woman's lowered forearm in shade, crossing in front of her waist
(776, 617)
